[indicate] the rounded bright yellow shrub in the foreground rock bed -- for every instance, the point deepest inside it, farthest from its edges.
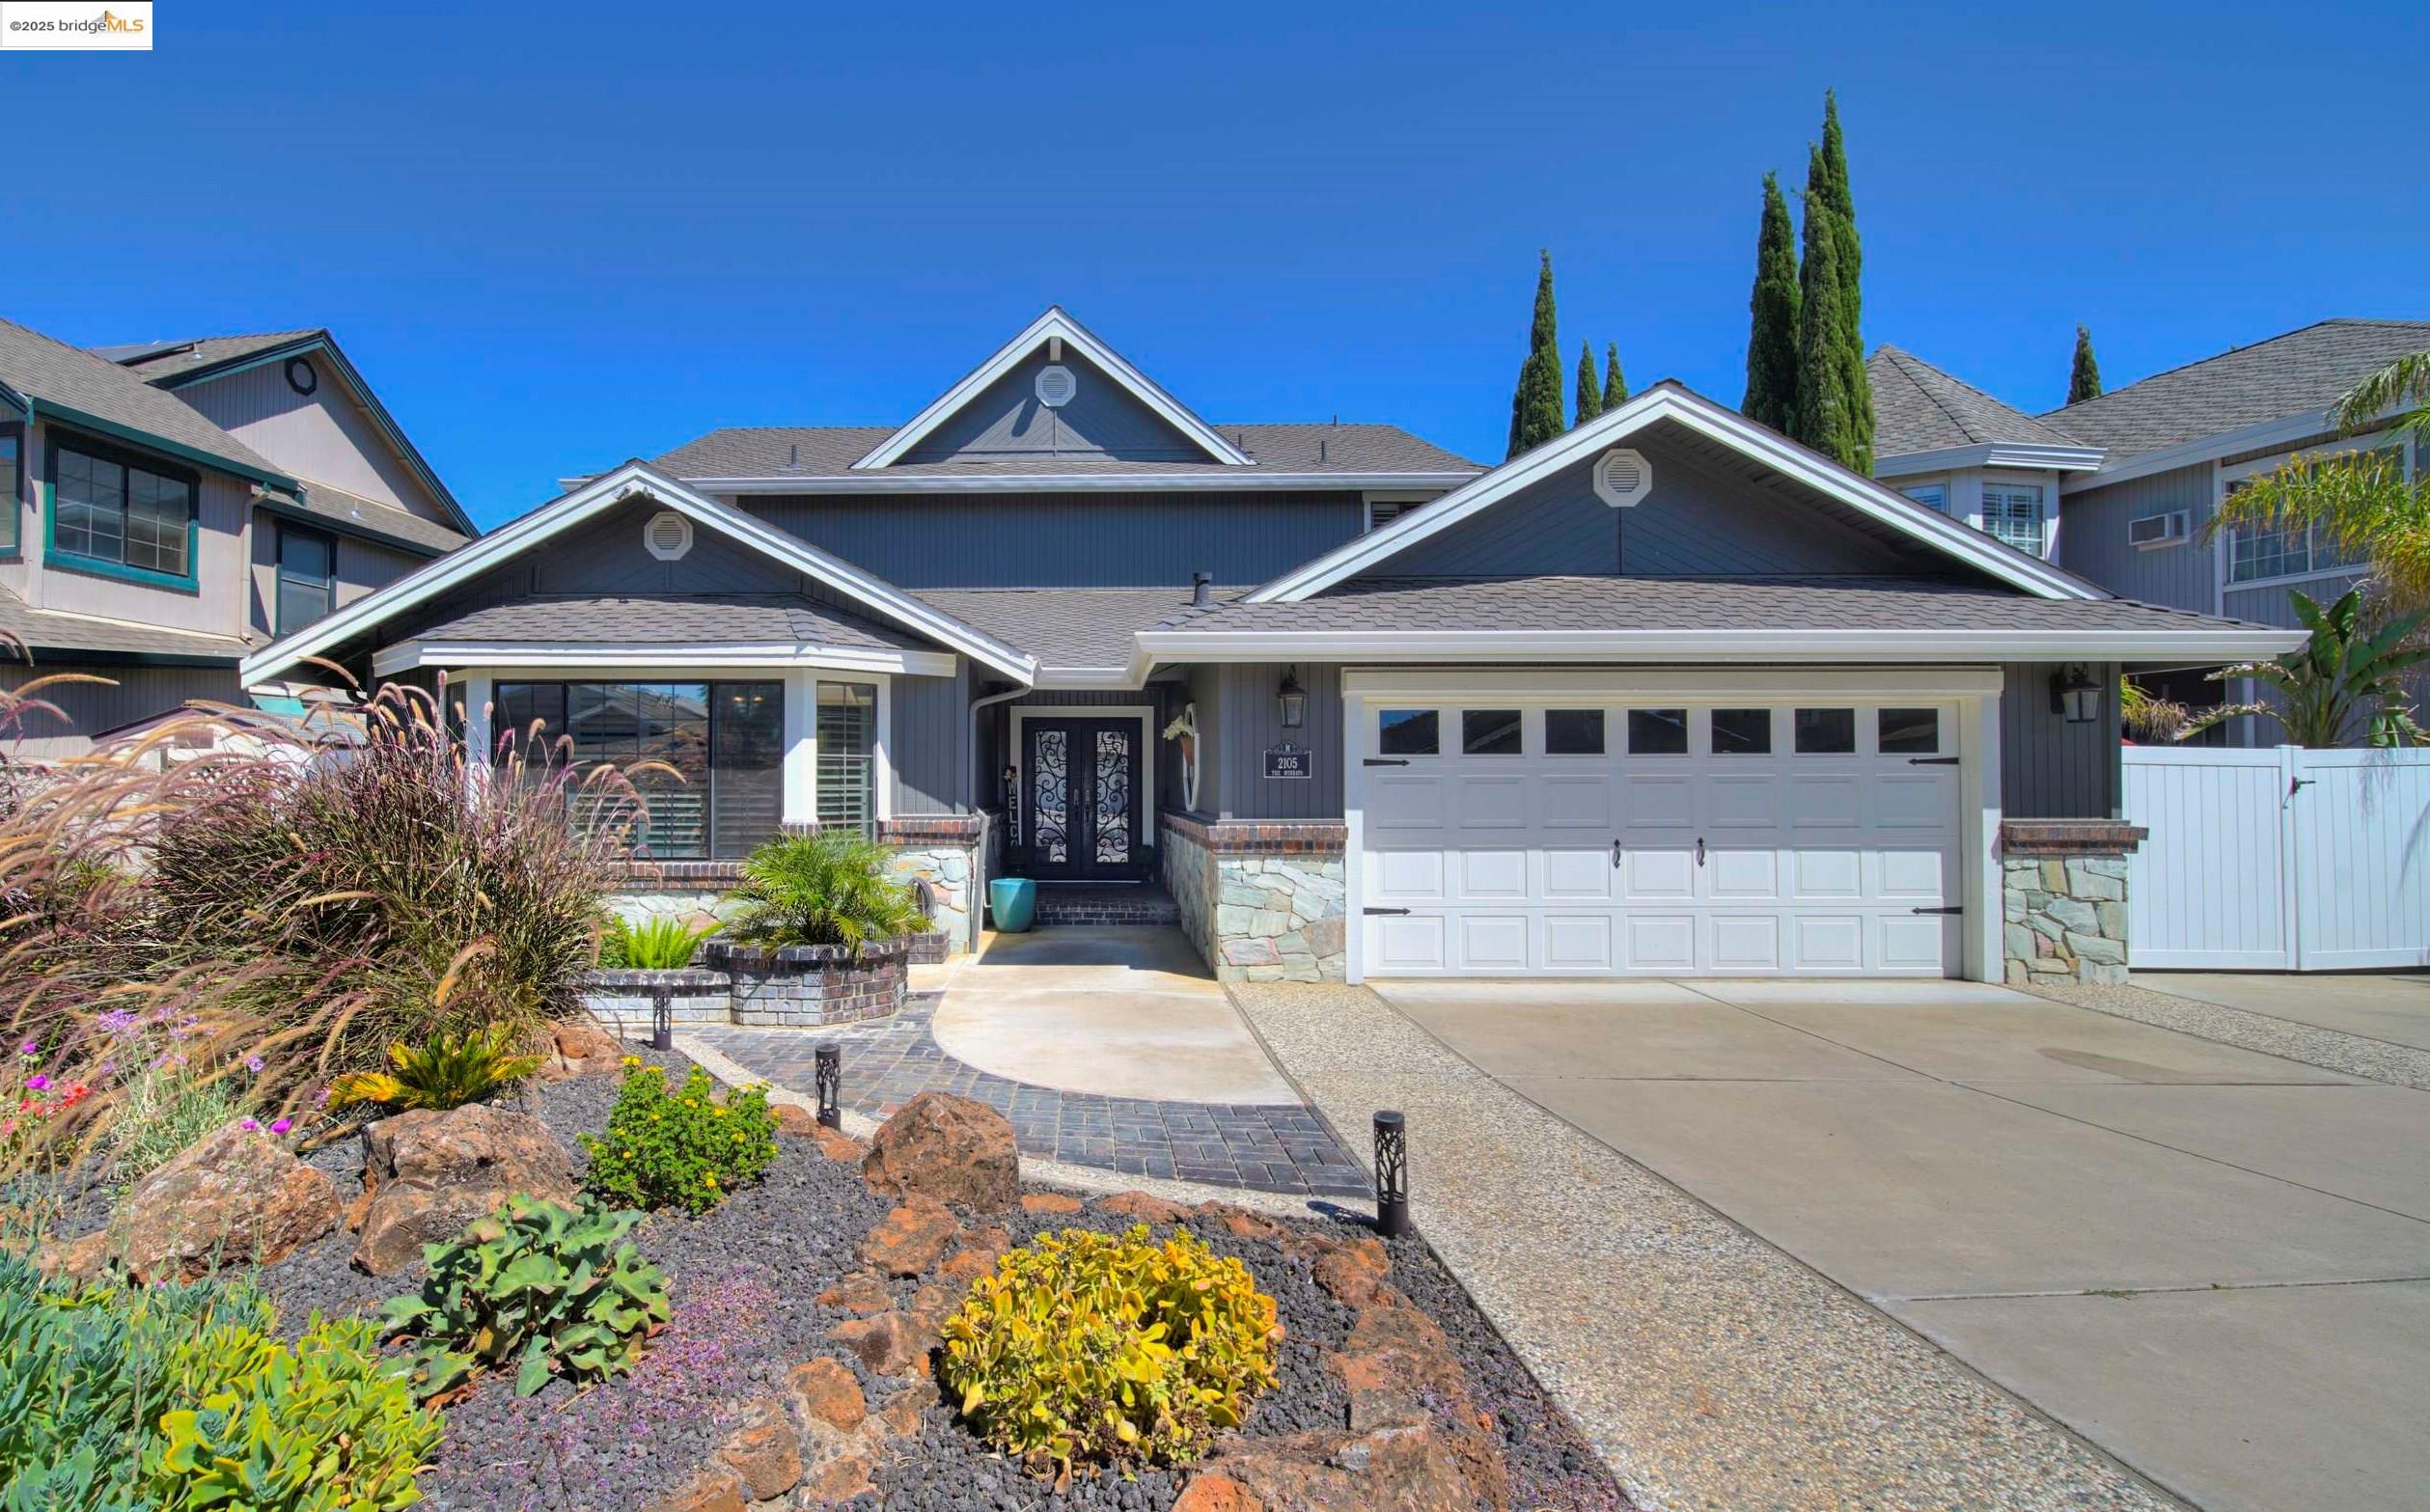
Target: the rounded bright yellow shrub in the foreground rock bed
(1107, 1350)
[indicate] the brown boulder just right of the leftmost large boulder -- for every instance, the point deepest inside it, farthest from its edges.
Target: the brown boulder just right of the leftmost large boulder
(436, 1173)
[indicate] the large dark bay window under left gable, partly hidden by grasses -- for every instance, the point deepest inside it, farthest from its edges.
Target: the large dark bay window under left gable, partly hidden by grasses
(706, 760)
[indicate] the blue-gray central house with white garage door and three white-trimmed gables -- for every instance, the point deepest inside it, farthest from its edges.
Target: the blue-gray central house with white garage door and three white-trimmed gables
(1661, 696)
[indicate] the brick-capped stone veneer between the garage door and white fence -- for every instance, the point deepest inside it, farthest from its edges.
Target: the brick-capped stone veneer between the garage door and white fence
(2064, 901)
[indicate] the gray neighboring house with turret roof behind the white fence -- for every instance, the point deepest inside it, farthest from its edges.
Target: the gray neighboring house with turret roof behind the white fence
(2118, 490)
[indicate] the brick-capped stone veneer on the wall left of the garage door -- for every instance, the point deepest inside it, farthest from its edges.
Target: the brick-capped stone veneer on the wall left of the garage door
(1262, 901)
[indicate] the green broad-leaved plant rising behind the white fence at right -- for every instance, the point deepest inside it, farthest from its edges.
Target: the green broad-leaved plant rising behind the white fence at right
(2349, 675)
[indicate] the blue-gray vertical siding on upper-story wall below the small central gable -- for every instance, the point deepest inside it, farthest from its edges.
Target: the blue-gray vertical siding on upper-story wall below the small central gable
(1070, 541)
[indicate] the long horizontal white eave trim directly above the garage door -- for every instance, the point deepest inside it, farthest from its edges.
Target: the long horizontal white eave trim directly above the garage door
(1712, 645)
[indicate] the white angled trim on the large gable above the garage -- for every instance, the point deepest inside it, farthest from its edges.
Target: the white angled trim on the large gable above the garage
(1671, 402)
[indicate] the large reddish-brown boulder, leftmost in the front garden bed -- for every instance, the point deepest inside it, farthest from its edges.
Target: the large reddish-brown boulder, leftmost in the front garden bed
(234, 1200)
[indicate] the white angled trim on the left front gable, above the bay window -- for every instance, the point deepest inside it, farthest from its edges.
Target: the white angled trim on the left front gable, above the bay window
(601, 495)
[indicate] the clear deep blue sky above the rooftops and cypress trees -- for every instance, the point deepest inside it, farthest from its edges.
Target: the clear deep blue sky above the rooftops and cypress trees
(572, 235)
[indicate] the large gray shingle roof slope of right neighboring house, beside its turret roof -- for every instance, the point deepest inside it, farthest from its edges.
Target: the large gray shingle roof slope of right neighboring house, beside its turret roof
(2268, 380)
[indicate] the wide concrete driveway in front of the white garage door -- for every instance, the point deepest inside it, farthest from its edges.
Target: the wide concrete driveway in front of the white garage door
(2210, 1263)
